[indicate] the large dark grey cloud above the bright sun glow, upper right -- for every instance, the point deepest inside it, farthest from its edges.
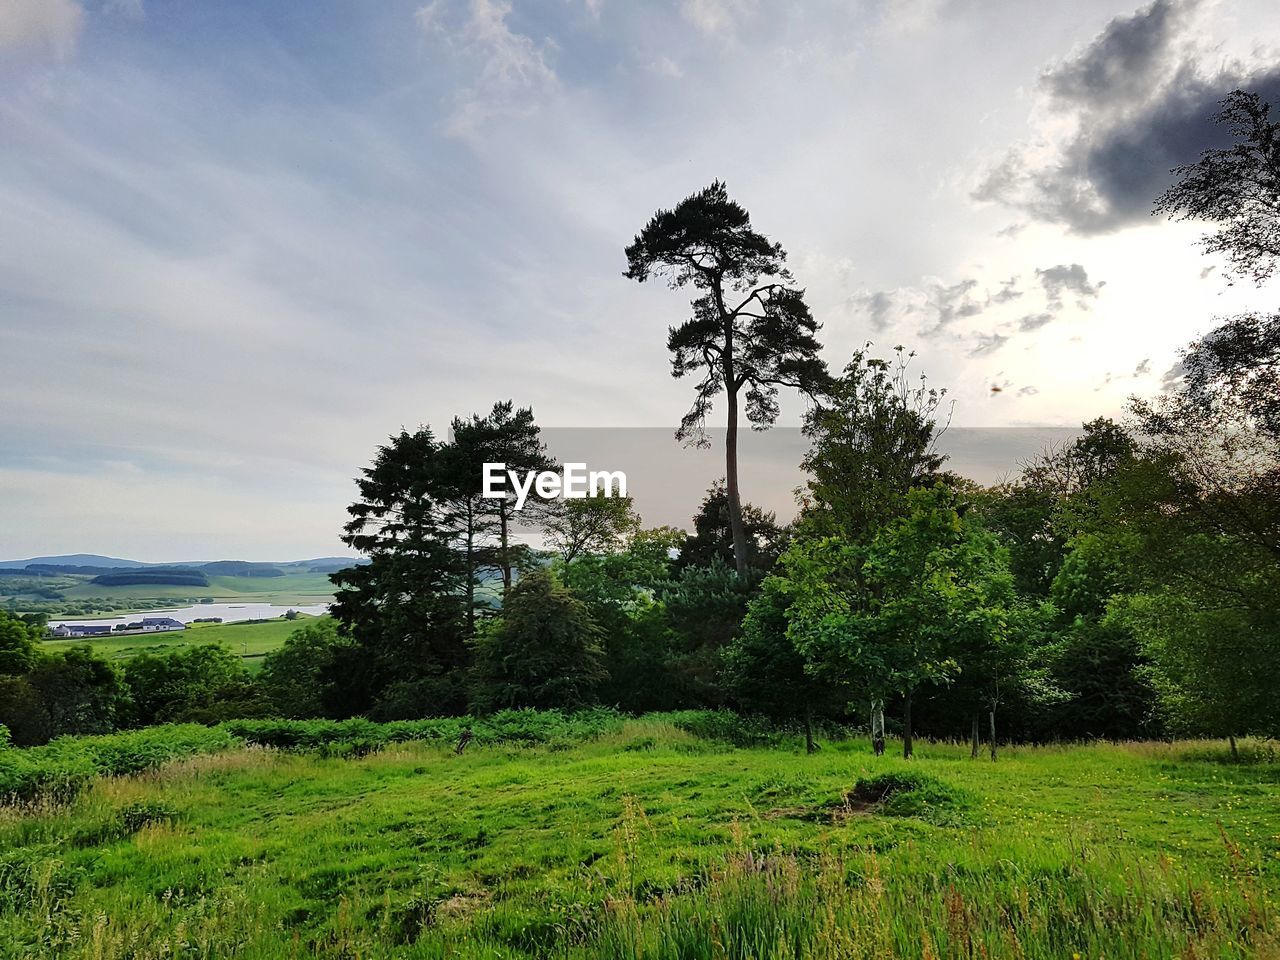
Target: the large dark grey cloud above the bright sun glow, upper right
(1135, 103)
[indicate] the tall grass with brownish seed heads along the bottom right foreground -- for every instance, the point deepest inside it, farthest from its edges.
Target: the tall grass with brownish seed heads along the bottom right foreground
(1096, 904)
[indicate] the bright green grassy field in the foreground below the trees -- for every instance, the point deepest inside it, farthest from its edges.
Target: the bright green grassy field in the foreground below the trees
(650, 843)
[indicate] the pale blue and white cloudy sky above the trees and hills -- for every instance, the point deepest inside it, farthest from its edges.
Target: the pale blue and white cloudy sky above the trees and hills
(245, 241)
